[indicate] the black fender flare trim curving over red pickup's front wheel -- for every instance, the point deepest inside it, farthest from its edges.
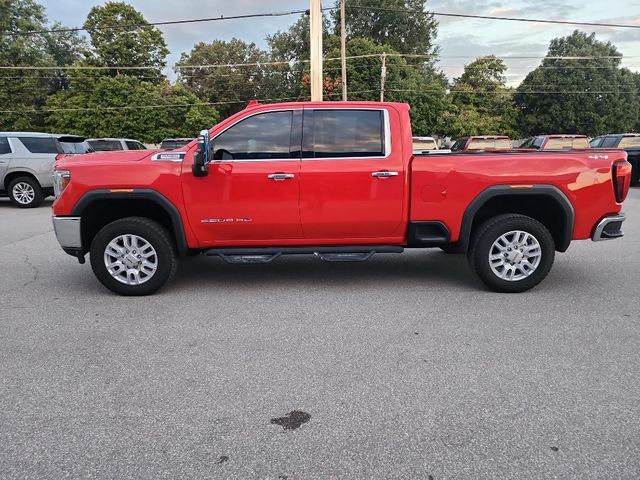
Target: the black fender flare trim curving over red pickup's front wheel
(139, 194)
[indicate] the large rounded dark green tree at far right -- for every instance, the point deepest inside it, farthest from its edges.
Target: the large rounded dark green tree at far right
(596, 97)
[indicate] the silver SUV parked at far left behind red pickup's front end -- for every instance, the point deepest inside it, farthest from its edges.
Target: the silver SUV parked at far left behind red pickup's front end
(26, 164)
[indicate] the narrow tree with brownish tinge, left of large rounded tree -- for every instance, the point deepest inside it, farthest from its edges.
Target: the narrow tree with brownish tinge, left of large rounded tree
(482, 104)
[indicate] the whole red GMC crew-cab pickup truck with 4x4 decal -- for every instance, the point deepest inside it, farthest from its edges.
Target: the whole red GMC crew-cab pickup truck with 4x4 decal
(335, 179)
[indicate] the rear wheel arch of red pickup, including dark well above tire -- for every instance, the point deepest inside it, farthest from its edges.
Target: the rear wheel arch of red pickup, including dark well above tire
(537, 201)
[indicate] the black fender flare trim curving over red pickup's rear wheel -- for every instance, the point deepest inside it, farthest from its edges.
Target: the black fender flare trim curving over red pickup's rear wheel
(503, 190)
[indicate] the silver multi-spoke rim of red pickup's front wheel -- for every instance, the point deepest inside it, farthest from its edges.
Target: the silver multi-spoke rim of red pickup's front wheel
(130, 259)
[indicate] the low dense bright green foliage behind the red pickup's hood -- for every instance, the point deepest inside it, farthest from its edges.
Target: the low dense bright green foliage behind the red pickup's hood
(154, 111)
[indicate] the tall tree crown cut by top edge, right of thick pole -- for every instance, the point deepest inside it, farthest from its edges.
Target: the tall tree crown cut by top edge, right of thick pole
(385, 22)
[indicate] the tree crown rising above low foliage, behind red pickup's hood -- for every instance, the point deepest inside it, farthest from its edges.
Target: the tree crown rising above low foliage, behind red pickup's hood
(120, 36)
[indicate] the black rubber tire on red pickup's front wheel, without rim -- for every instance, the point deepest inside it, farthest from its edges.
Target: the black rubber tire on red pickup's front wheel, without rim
(151, 232)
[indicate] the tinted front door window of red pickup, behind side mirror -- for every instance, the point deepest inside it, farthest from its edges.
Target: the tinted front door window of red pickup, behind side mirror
(262, 136)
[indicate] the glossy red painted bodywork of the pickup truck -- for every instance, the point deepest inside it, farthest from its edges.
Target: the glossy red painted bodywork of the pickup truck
(338, 201)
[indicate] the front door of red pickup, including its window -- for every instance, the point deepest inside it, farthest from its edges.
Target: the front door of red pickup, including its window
(251, 193)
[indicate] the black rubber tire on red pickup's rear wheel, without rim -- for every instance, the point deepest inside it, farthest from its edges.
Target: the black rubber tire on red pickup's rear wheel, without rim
(490, 231)
